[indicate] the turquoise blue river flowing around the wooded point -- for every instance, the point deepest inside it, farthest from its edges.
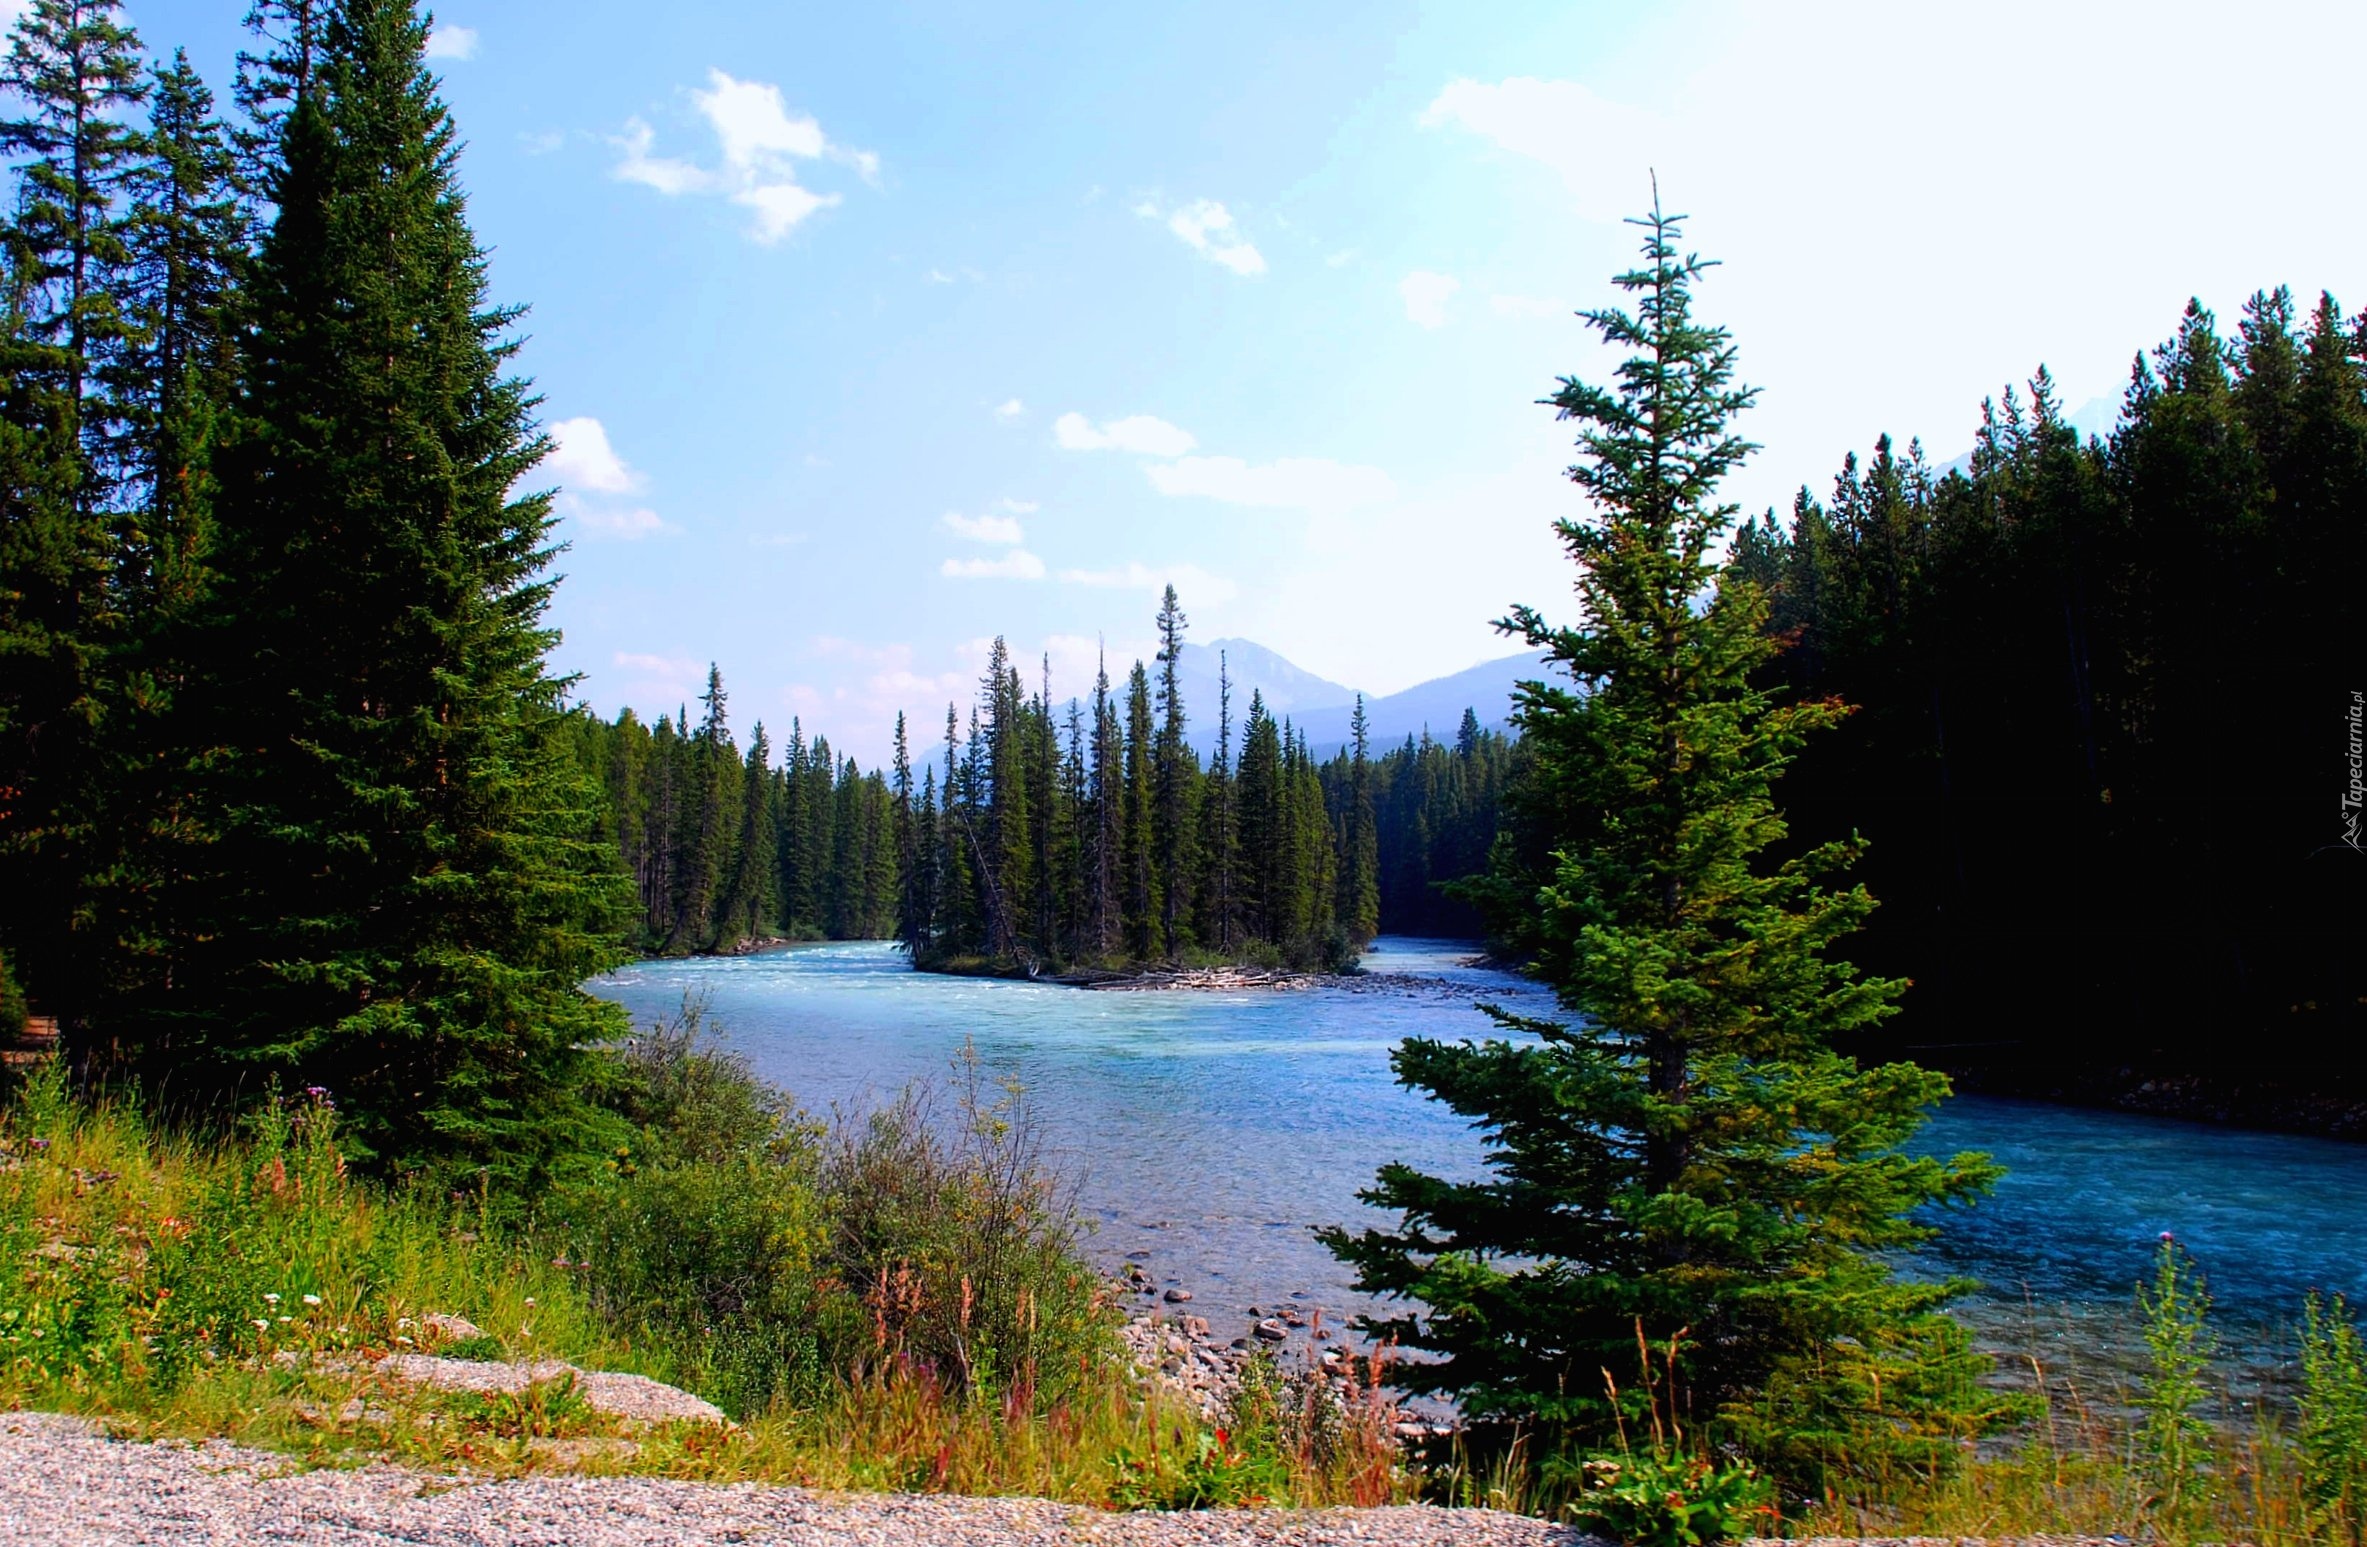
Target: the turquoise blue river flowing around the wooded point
(1208, 1134)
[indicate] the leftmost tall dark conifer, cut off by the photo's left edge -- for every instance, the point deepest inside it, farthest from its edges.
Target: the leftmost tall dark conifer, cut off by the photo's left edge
(75, 75)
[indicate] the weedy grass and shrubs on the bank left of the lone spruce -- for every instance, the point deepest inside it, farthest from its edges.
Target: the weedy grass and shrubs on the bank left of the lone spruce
(889, 1300)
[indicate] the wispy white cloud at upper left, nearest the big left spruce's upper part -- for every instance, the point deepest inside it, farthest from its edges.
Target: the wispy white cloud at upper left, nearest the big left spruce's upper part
(761, 145)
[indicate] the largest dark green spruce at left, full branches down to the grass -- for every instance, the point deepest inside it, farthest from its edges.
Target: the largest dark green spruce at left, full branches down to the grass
(411, 876)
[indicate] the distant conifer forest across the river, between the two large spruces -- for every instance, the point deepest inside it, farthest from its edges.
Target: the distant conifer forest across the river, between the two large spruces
(1078, 834)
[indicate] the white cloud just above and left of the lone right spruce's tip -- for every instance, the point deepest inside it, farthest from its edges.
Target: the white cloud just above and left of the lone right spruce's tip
(1592, 143)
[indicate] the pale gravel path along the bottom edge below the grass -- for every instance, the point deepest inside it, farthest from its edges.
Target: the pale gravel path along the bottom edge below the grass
(65, 1482)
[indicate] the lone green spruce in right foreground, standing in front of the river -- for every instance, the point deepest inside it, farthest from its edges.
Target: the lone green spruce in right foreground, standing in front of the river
(1689, 1160)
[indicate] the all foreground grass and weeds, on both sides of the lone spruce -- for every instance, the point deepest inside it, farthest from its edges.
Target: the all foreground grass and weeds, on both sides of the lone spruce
(898, 1300)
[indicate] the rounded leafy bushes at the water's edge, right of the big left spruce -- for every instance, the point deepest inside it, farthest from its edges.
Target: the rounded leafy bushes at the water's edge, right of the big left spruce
(770, 1257)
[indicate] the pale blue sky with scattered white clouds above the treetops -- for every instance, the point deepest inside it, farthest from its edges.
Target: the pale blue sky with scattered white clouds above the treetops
(872, 332)
